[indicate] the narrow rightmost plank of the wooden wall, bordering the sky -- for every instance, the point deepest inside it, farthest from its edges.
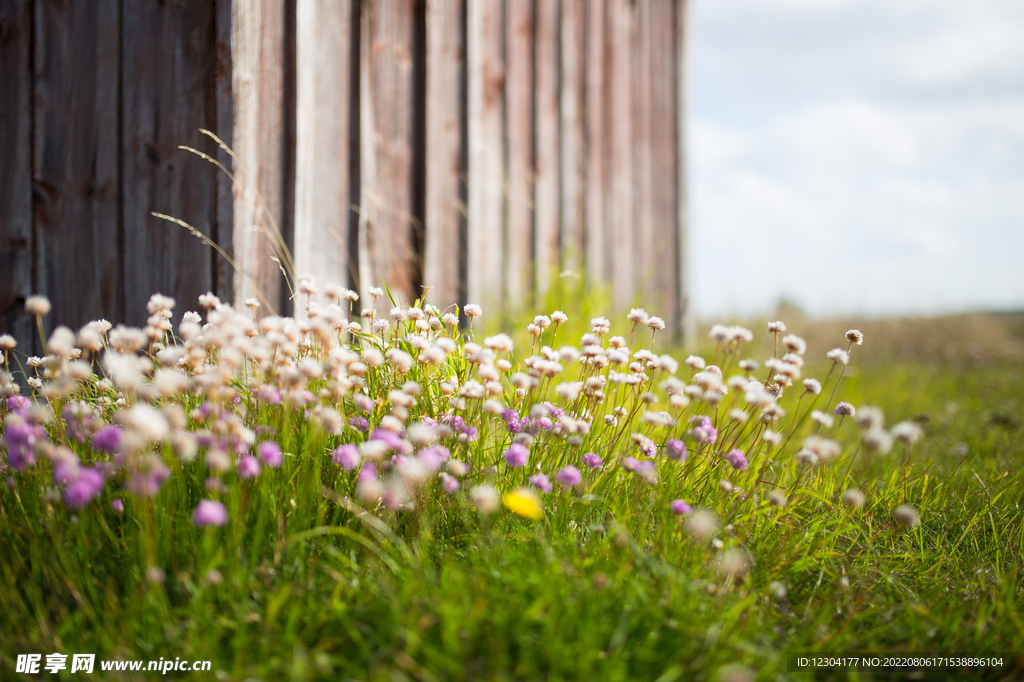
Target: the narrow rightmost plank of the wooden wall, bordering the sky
(688, 322)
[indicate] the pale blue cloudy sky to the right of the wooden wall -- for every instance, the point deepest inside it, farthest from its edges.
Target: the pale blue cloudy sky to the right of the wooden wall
(857, 157)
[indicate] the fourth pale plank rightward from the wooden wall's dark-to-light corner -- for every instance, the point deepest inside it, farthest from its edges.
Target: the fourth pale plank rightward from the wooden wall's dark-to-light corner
(445, 205)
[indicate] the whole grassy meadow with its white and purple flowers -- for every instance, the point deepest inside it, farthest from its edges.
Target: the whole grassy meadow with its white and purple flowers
(385, 492)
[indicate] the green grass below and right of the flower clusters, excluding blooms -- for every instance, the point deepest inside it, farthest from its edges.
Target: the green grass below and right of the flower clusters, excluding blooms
(608, 586)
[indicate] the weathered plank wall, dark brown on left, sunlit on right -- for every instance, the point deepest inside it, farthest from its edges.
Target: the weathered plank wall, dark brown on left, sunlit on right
(477, 147)
